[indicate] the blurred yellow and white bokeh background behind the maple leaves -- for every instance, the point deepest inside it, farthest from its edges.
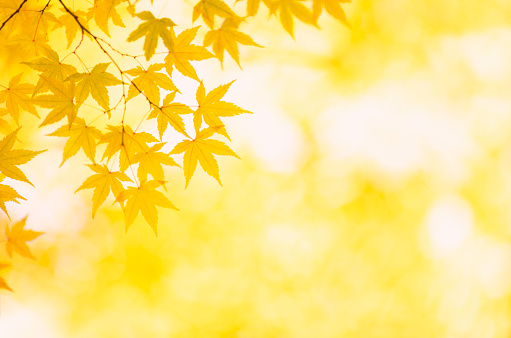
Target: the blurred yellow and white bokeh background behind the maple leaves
(372, 198)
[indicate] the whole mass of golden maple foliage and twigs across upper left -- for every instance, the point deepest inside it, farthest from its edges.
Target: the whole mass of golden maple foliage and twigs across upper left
(129, 167)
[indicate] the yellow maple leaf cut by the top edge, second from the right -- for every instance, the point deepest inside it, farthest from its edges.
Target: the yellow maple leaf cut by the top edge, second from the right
(288, 8)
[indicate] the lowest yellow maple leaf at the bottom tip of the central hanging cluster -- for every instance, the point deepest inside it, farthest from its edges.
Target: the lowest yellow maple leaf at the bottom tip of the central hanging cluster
(145, 199)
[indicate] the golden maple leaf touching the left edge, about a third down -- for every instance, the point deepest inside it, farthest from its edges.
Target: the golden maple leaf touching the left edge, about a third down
(16, 96)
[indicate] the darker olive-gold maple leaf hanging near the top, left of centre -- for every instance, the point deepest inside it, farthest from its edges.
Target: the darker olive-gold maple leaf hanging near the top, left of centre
(153, 28)
